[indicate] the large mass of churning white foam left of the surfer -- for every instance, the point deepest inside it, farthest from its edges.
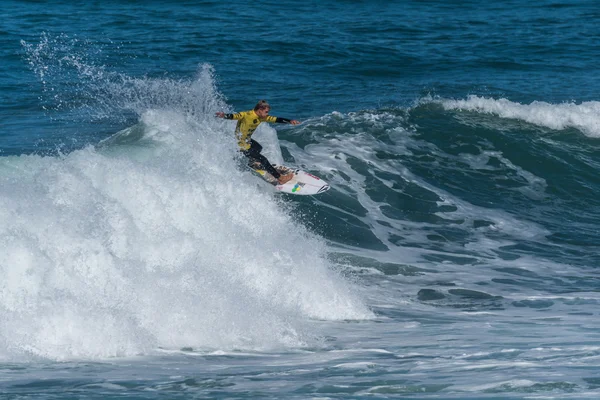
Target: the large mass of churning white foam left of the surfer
(123, 249)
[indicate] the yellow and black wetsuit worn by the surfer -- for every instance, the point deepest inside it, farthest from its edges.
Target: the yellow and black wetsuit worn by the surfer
(248, 121)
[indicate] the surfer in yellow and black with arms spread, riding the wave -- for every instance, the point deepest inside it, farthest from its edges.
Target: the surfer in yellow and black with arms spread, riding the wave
(248, 121)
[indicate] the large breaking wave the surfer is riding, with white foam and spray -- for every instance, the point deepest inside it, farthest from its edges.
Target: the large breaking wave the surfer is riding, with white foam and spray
(153, 238)
